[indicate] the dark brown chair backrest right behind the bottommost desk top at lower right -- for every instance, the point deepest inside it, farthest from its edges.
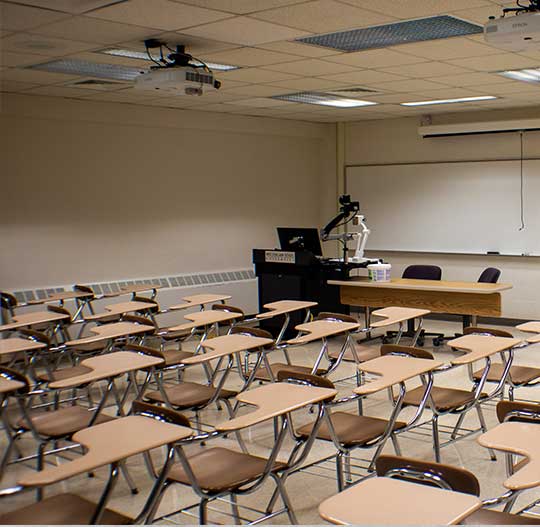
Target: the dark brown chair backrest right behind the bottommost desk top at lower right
(428, 473)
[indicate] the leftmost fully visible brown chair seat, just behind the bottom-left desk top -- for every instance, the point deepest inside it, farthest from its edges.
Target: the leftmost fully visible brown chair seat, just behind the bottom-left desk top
(62, 422)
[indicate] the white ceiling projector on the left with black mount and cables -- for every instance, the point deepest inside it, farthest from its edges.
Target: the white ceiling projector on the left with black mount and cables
(178, 73)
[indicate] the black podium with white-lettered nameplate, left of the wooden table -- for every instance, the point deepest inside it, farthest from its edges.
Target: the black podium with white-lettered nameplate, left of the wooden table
(298, 275)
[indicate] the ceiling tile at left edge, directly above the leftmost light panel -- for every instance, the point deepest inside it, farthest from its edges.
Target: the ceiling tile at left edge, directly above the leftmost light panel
(41, 45)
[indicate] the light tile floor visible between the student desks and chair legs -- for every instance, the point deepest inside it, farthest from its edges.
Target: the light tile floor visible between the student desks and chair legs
(306, 489)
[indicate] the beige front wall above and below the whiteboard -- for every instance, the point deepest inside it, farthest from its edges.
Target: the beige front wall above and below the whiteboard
(396, 141)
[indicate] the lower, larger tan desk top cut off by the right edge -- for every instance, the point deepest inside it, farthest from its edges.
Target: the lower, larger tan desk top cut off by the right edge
(517, 438)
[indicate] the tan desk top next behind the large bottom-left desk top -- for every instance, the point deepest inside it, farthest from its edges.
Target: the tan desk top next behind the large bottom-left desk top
(105, 366)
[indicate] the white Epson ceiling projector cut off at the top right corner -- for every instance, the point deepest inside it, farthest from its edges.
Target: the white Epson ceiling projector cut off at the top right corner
(518, 32)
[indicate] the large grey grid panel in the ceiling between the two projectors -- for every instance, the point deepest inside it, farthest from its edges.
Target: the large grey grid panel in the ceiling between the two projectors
(432, 28)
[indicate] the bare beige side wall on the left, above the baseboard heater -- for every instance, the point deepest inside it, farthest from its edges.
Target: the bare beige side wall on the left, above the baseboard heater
(99, 191)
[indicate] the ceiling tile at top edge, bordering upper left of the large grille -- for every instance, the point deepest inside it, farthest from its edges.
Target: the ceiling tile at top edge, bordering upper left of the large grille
(323, 16)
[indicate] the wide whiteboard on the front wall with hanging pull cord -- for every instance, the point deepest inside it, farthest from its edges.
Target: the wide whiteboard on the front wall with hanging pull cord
(465, 207)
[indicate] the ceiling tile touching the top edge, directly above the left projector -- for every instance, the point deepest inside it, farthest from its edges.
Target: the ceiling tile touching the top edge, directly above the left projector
(161, 14)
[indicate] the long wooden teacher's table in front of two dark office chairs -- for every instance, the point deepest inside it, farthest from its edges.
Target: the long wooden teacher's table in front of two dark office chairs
(439, 296)
